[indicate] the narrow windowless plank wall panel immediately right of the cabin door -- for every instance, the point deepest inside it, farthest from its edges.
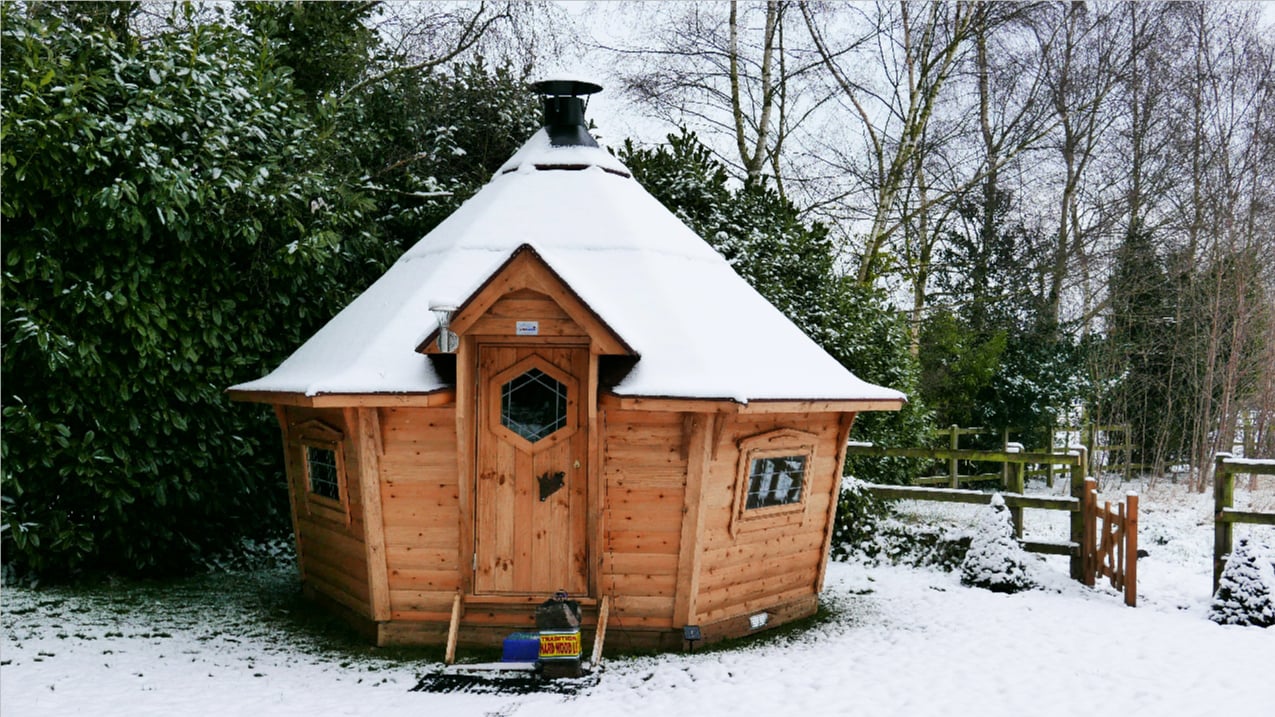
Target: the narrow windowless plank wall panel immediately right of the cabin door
(645, 478)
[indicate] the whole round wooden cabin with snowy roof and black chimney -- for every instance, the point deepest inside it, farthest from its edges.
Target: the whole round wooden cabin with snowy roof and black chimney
(563, 387)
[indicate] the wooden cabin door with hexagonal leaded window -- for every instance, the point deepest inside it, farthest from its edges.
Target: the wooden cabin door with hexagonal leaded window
(532, 478)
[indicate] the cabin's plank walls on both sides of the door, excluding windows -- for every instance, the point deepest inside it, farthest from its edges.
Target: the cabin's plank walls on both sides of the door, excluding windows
(732, 571)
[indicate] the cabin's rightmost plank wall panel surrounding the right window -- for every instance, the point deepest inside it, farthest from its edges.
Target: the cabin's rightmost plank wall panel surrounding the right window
(767, 563)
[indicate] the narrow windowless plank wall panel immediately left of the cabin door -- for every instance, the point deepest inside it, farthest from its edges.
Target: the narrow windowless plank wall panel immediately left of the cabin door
(421, 508)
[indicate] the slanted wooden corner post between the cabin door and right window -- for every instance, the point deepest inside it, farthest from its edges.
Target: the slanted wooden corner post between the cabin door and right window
(690, 548)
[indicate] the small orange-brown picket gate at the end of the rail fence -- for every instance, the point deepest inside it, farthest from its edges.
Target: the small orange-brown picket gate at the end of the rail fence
(1110, 547)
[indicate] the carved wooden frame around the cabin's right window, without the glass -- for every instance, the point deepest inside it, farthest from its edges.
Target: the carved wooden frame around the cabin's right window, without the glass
(781, 443)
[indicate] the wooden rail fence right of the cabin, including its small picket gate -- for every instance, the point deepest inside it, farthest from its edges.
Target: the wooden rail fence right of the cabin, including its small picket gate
(1104, 542)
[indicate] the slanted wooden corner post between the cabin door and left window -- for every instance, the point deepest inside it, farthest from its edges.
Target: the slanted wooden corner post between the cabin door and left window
(368, 429)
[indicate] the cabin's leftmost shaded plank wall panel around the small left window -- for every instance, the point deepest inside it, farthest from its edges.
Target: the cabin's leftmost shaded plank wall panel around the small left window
(333, 557)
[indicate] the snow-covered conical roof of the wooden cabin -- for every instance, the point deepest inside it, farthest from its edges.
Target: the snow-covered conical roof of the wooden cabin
(699, 330)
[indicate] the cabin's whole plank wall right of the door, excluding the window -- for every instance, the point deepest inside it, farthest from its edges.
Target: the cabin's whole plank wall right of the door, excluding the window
(772, 565)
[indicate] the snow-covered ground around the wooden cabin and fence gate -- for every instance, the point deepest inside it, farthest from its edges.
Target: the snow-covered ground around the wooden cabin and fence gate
(900, 641)
